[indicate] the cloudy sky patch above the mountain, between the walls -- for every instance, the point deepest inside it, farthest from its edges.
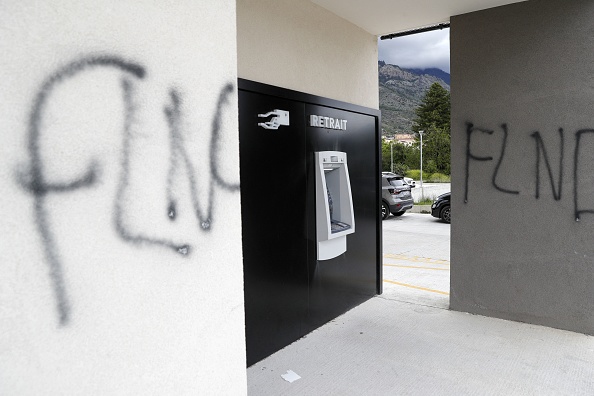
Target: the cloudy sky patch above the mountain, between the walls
(422, 50)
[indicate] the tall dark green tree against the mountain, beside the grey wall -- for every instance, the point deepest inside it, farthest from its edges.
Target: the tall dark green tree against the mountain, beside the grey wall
(434, 110)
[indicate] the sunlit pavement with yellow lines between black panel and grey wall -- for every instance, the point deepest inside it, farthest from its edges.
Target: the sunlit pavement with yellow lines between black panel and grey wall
(417, 260)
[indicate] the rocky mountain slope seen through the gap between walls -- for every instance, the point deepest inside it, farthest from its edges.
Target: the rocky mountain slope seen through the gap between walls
(401, 92)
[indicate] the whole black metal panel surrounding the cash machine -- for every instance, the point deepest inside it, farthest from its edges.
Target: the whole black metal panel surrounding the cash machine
(288, 293)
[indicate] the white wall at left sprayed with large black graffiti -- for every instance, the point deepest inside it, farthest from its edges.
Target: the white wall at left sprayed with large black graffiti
(94, 299)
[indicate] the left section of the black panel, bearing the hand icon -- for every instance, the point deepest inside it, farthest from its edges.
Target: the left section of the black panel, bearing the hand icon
(272, 171)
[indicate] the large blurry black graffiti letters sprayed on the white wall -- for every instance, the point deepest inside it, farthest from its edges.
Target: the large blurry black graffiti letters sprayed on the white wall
(35, 181)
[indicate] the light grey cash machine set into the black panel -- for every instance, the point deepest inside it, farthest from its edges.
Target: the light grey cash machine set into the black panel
(334, 204)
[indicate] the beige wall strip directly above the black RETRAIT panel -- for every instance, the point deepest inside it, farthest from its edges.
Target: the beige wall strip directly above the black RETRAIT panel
(301, 46)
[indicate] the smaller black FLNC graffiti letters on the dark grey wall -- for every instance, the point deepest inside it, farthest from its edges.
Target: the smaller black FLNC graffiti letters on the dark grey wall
(541, 154)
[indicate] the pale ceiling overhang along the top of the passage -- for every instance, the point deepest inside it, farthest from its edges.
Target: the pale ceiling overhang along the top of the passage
(381, 17)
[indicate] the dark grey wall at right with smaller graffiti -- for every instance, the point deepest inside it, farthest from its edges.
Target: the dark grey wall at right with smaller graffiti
(522, 85)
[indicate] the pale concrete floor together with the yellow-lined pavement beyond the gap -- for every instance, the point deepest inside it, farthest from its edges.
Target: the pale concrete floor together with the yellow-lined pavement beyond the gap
(406, 342)
